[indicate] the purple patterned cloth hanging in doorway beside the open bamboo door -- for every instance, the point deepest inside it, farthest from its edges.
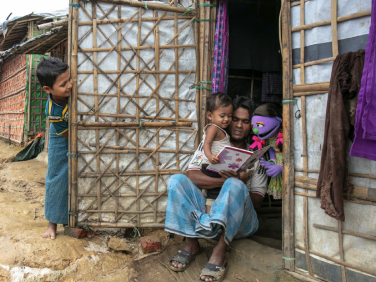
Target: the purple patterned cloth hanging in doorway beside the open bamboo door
(221, 47)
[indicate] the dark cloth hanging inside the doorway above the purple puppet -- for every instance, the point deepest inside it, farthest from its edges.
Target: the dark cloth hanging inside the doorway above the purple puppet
(271, 91)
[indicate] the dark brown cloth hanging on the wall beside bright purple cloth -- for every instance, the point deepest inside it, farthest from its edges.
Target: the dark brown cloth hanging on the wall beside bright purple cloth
(339, 123)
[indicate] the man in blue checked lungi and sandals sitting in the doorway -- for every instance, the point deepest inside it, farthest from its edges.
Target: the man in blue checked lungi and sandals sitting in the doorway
(232, 214)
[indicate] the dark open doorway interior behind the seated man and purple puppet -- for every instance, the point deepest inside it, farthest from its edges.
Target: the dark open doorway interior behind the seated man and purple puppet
(255, 71)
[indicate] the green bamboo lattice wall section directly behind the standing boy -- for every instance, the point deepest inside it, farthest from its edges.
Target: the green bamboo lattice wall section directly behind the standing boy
(36, 98)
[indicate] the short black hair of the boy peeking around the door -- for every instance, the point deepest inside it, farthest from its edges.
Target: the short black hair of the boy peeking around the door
(49, 69)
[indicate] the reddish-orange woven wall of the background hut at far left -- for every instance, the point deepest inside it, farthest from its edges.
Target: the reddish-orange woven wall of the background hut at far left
(12, 98)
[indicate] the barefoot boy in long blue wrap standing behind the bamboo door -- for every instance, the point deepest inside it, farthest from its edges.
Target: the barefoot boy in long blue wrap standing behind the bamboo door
(55, 79)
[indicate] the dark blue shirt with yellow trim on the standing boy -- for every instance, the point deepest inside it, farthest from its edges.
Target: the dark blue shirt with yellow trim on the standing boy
(58, 115)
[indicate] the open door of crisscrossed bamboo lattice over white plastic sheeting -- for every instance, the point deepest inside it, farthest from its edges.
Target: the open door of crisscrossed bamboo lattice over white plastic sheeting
(133, 113)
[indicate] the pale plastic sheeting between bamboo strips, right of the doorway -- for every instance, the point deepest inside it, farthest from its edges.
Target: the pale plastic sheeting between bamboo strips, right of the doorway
(359, 218)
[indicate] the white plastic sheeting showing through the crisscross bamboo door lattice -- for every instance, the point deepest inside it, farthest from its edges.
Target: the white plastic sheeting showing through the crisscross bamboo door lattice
(168, 139)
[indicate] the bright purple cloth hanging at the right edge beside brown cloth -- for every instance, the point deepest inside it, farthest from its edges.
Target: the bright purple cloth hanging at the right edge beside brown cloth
(365, 124)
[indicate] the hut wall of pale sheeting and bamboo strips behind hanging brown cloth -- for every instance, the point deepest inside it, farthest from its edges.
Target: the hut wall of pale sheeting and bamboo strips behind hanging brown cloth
(324, 247)
